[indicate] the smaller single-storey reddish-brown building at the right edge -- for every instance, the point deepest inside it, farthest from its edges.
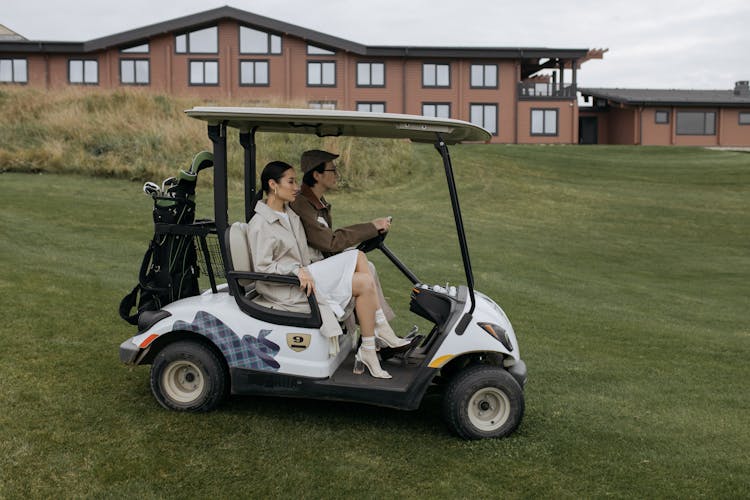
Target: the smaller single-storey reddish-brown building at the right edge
(667, 117)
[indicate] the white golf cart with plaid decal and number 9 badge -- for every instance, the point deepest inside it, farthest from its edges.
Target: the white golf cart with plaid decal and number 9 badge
(206, 346)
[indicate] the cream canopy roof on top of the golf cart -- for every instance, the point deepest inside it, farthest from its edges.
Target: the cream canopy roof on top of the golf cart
(325, 123)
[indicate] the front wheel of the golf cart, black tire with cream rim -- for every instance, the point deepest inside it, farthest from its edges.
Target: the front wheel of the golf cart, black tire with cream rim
(483, 401)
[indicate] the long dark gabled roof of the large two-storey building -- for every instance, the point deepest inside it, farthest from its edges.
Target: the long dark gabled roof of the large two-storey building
(206, 18)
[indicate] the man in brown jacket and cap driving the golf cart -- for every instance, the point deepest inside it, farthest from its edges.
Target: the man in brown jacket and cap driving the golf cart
(319, 175)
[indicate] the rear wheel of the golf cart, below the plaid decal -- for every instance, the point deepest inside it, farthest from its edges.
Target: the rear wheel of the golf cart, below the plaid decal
(188, 376)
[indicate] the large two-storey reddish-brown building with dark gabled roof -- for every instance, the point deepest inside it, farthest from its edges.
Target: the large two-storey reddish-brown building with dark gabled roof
(521, 95)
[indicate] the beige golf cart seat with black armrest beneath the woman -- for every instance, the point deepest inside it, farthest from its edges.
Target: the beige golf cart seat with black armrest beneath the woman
(242, 280)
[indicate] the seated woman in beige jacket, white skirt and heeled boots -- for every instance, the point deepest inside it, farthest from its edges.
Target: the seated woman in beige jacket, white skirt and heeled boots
(278, 245)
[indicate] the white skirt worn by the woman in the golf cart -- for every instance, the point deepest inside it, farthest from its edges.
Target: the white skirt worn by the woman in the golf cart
(333, 280)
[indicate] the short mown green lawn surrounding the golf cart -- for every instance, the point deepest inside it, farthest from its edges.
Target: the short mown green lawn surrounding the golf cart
(625, 272)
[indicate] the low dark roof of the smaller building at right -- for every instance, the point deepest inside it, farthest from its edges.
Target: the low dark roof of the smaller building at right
(670, 97)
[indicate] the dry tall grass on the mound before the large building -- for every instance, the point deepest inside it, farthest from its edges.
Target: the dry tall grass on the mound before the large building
(141, 136)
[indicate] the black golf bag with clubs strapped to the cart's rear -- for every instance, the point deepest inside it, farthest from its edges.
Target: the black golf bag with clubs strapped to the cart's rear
(169, 270)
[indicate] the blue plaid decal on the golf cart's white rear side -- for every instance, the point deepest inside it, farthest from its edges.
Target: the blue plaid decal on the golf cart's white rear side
(246, 352)
